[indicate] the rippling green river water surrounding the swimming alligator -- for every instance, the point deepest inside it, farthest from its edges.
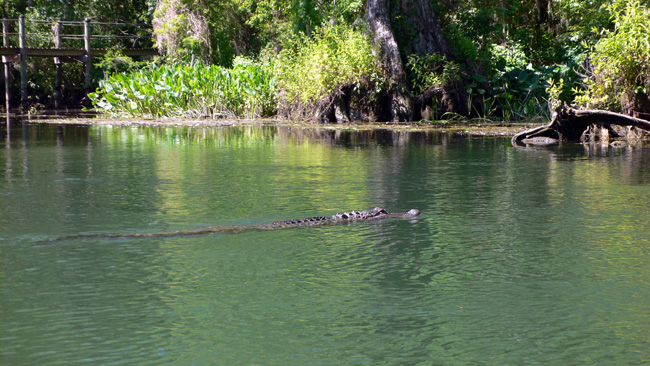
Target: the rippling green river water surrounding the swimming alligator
(521, 256)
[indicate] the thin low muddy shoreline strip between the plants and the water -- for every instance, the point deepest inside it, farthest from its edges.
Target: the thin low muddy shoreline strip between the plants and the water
(479, 128)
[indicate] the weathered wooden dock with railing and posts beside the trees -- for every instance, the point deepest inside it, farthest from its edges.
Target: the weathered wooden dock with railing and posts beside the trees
(59, 52)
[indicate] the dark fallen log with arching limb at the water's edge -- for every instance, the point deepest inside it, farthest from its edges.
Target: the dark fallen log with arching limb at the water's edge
(574, 125)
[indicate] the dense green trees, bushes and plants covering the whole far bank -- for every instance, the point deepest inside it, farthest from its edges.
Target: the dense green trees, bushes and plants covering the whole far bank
(509, 59)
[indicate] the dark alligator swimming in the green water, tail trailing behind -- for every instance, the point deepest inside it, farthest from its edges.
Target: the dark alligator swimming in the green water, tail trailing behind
(376, 213)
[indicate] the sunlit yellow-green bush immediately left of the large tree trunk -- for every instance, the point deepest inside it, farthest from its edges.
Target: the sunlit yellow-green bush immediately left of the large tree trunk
(311, 69)
